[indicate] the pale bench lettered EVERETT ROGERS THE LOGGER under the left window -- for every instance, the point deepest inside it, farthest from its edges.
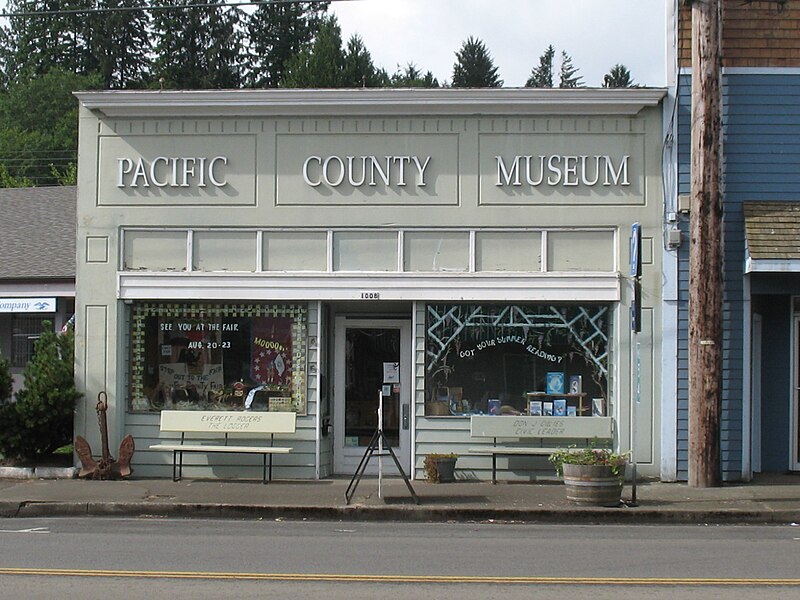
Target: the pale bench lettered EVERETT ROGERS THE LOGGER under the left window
(223, 422)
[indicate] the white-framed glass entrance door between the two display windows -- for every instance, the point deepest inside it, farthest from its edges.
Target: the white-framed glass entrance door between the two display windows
(372, 363)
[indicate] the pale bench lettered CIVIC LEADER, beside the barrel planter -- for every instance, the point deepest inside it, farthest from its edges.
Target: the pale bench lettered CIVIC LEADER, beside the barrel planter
(509, 433)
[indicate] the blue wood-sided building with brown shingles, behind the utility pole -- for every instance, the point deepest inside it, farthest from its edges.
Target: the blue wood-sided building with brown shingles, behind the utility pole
(761, 193)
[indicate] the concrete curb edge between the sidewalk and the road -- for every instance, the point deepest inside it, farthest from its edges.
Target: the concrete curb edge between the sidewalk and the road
(583, 516)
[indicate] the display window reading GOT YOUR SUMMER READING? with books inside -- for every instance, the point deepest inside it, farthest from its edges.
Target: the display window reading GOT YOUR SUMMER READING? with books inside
(509, 359)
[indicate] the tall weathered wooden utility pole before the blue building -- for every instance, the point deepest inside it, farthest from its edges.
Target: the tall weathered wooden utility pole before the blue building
(705, 253)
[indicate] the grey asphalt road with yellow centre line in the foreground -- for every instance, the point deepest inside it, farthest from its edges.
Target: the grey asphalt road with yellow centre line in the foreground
(154, 558)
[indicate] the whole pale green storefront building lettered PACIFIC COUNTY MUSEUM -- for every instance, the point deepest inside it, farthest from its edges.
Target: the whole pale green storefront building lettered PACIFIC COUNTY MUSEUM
(452, 252)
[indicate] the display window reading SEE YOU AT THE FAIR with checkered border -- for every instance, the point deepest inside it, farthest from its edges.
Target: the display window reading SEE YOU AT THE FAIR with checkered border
(218, 357)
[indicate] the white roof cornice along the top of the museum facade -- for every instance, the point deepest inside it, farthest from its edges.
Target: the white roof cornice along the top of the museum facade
(372, 102)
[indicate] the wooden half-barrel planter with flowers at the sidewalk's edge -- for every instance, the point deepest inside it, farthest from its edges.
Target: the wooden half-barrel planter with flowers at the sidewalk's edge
(592, 476)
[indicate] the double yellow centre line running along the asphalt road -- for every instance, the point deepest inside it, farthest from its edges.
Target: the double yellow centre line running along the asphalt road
(644, 581)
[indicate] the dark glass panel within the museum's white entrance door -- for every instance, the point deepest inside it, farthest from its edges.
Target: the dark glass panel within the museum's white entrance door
(367, 349)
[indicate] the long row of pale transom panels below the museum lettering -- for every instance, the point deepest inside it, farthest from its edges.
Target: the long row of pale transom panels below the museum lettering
(370, 250)
